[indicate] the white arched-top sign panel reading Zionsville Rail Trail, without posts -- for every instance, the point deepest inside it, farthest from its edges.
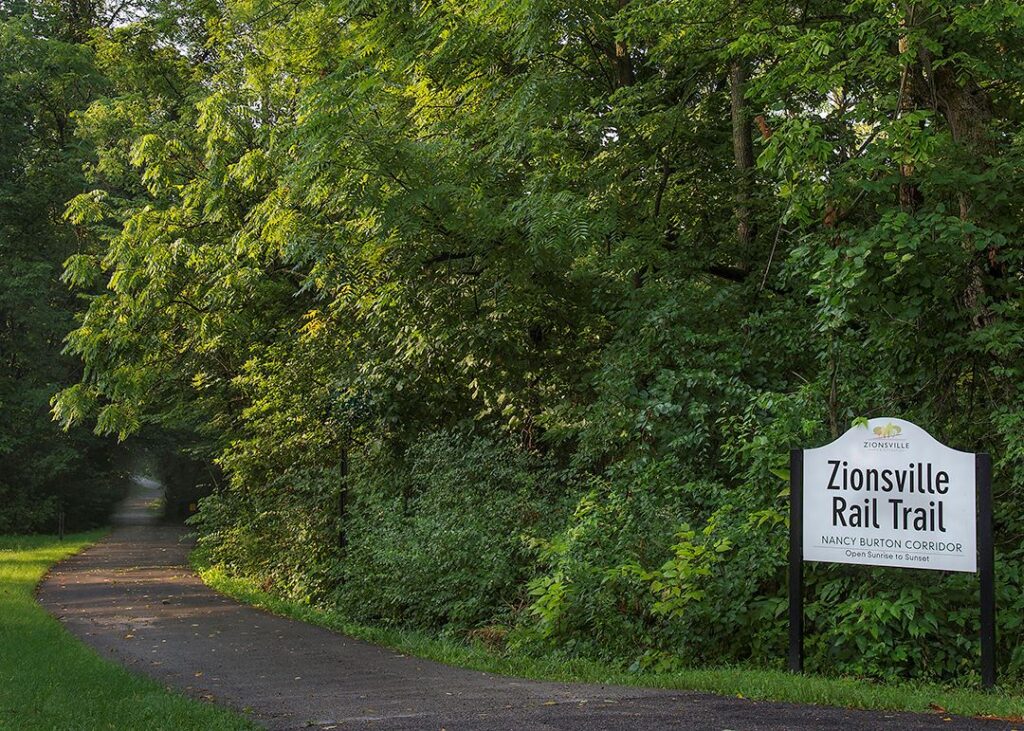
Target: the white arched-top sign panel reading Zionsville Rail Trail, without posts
(890, 495)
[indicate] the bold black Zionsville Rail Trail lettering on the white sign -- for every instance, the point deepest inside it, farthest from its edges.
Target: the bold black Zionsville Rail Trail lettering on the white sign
(920, 479)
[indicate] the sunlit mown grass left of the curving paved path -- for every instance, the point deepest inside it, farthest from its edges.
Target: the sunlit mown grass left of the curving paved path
(50, 680)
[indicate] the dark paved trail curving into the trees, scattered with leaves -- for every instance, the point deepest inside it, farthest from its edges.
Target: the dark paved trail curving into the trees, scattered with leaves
(134, 598)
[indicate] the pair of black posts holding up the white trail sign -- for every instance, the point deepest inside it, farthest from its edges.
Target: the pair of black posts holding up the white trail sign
(987, 565)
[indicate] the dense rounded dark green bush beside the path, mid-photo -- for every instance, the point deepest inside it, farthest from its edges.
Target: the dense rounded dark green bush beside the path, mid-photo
(437, 538)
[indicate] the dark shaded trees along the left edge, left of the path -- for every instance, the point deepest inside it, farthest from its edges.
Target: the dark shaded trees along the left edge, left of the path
(47, 73)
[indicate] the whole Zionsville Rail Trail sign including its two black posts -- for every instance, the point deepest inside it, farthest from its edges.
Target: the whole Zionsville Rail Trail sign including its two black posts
(890, 495)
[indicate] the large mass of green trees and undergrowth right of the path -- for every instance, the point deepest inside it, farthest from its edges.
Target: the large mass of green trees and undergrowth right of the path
(505, 315)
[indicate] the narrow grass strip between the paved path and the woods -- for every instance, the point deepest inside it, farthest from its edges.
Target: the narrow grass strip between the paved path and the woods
(749, 683)
